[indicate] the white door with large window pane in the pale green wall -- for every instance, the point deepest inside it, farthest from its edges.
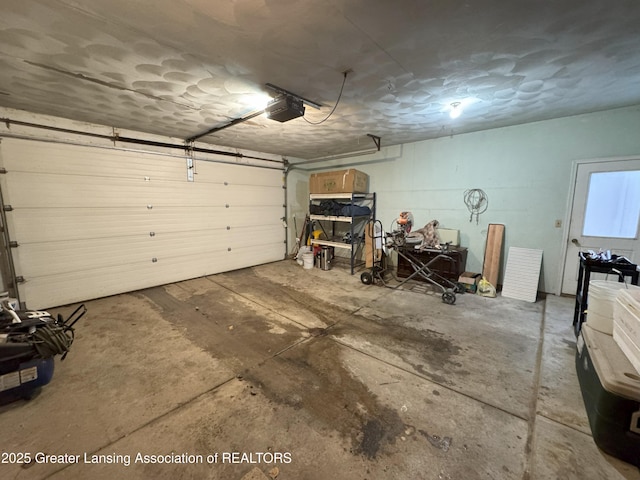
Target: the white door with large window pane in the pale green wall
(604, 215)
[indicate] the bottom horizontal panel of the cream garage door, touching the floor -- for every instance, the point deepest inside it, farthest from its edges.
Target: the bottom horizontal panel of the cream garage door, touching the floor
(78, 286)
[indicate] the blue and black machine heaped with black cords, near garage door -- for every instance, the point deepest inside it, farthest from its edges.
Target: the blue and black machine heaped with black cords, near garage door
(29, 341)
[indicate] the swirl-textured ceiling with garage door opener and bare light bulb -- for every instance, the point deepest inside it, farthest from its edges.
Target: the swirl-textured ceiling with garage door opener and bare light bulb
(182, 67)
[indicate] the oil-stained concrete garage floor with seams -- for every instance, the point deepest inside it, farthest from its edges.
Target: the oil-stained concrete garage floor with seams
(309, 374)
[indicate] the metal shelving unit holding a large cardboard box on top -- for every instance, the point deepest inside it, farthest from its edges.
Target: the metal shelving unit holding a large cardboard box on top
(356, 224)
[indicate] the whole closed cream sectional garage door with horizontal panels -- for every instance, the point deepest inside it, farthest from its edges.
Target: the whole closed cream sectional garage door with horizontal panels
(92, 222)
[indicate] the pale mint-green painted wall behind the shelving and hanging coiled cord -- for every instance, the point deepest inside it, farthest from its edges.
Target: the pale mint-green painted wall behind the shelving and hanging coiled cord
(525, 171)
